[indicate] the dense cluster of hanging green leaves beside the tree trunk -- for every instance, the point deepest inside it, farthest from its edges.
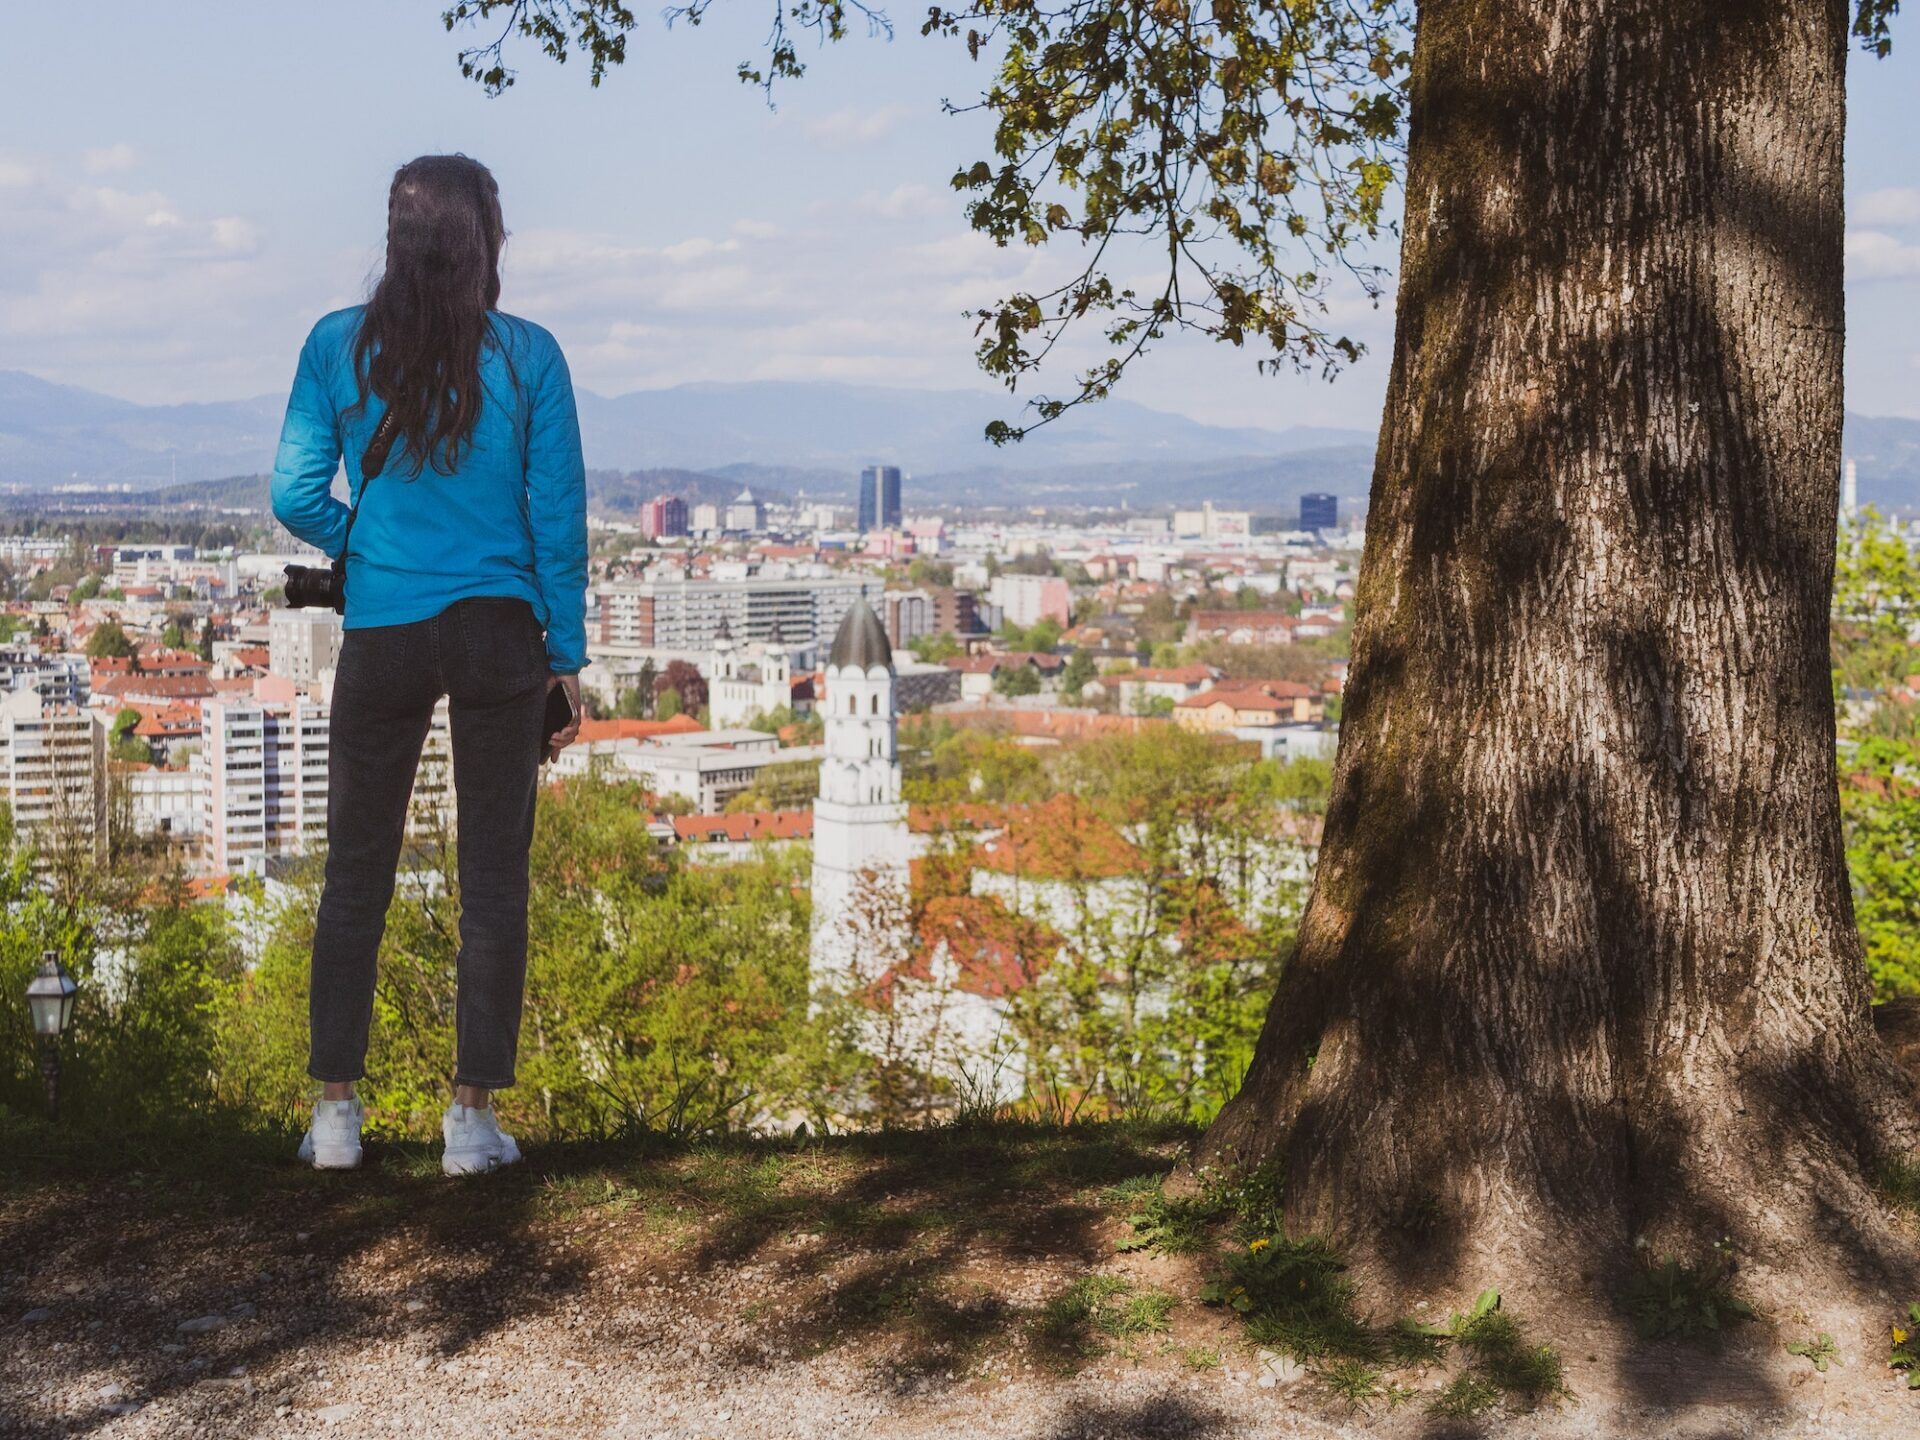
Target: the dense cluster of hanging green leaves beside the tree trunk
(1237, 139)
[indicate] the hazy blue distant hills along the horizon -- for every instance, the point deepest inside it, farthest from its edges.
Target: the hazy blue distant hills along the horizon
(790, 439)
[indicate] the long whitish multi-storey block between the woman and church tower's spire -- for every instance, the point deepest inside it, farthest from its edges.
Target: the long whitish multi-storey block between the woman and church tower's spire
(673, 613)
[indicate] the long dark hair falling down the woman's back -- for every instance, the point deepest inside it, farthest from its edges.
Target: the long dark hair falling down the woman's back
(427, 324)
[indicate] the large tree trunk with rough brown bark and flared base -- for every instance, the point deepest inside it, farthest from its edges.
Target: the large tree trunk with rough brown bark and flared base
(1581, 963)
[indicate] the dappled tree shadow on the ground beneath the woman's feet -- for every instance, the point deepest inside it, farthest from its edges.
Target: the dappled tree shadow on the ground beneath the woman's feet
(880, 1241)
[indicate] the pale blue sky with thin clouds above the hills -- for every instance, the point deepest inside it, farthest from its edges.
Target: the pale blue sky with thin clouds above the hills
(183, 189)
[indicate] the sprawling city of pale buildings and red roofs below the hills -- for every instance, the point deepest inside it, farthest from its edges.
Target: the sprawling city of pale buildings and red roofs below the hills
(162, 690)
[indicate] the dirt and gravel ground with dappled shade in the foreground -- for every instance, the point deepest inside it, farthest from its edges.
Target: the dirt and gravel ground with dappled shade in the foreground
(863, 1287)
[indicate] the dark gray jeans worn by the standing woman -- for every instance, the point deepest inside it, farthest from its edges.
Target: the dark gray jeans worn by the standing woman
(489, 658)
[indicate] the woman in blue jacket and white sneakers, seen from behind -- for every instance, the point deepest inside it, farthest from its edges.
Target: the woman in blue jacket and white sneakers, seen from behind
(466, 577)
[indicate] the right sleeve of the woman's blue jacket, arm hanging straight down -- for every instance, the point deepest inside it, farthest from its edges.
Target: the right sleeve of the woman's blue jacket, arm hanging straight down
(558, 510)
